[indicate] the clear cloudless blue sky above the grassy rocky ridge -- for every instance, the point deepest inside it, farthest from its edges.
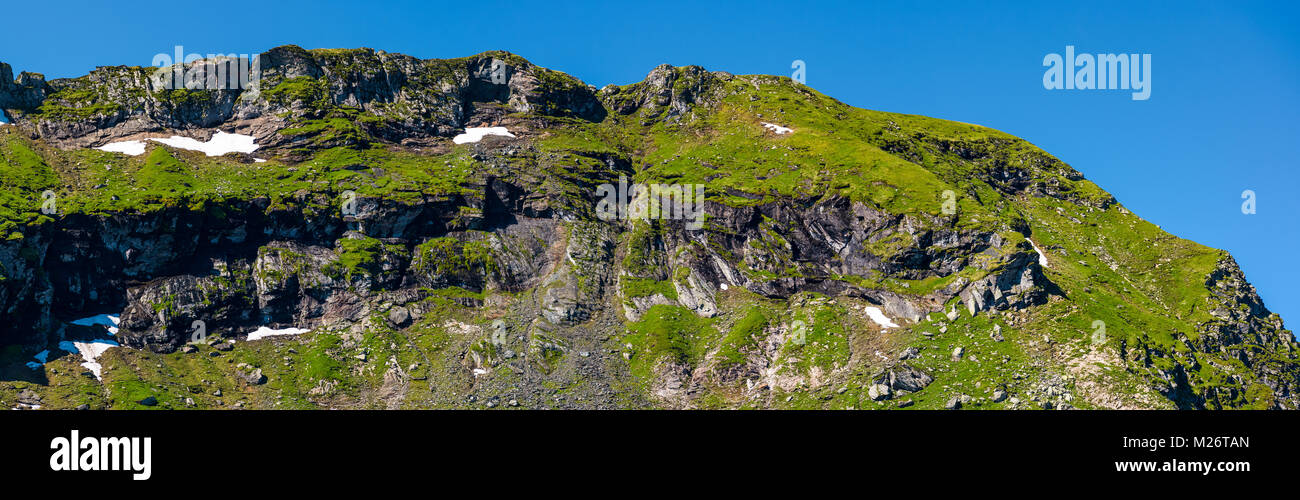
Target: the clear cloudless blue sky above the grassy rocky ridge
(1223, 116)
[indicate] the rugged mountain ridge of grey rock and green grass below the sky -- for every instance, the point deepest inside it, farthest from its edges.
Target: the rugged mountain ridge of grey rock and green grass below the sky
(859, 260)
